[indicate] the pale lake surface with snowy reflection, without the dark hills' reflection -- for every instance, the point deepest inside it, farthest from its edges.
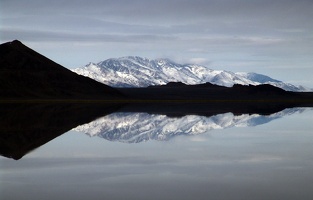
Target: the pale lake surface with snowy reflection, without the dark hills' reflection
(145, 156)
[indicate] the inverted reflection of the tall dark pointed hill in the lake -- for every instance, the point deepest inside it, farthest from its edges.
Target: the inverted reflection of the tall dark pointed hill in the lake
(25, 127)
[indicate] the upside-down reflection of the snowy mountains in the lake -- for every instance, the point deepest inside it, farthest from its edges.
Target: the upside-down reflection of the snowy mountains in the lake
(138, 127)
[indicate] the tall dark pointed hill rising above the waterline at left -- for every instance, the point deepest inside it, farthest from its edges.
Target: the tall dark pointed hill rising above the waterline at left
(26, 74)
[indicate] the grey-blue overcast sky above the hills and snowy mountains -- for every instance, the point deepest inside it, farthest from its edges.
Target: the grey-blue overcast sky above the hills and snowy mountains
(272, 37)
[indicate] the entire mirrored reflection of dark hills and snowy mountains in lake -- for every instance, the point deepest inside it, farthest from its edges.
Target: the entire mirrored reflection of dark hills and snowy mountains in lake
(25, 127)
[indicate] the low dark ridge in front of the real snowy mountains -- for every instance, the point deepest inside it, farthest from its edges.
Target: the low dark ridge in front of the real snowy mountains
(209, 92)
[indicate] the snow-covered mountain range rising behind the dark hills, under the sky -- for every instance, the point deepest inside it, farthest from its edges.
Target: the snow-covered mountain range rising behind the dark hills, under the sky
(142, 72)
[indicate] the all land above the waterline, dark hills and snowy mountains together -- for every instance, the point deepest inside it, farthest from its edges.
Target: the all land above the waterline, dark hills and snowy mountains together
(28, 75)
